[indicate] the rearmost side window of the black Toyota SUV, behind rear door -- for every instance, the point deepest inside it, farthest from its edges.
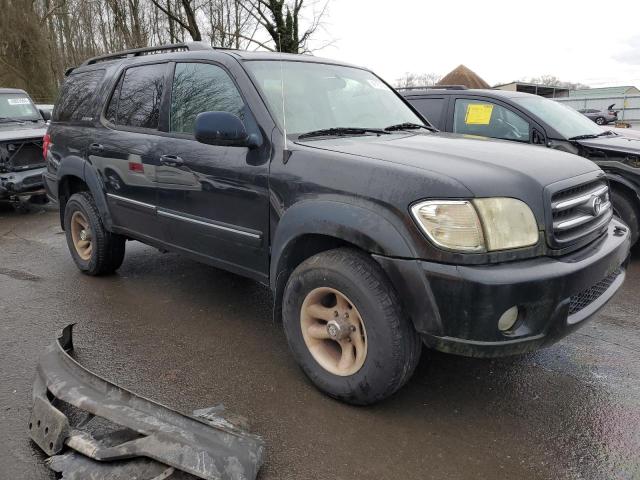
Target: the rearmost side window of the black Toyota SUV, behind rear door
(77, 102)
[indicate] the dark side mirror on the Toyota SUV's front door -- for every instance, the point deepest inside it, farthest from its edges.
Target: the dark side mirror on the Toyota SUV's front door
(224, 129)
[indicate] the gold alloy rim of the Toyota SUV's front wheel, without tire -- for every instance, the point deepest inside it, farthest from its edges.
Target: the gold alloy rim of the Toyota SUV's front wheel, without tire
(333, 331)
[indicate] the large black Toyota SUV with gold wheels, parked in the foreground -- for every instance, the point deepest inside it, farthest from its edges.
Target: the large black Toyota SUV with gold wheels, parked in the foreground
(375, 234)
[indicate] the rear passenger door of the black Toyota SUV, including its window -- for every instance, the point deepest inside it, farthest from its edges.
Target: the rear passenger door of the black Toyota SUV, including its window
(126, 151)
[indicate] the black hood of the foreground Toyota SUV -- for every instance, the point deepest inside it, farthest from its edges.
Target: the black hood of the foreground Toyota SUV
(484, 166)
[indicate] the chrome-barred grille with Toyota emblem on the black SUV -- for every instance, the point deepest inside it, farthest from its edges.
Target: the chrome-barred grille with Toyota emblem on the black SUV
(580, 211)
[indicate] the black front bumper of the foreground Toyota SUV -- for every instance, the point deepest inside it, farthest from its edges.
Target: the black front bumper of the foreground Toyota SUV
(456, 308)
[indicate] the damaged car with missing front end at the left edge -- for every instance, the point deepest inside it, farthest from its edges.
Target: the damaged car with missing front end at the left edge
(22, 129)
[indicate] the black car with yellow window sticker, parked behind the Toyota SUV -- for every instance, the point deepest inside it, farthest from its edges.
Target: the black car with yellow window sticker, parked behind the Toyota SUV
(527, 118)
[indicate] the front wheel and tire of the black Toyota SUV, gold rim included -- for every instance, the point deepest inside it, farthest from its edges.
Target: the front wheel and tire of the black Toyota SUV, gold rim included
(346, 329)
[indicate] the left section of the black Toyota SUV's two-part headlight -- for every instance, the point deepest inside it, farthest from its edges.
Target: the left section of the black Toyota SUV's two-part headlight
(451, 224)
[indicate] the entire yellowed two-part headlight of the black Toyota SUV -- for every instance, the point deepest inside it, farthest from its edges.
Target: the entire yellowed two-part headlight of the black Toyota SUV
(481, 225)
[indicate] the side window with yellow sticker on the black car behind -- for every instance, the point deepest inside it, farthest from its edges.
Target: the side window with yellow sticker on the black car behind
(489, 119)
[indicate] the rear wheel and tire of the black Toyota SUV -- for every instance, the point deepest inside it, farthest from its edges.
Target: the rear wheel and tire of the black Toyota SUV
(94, 249)
